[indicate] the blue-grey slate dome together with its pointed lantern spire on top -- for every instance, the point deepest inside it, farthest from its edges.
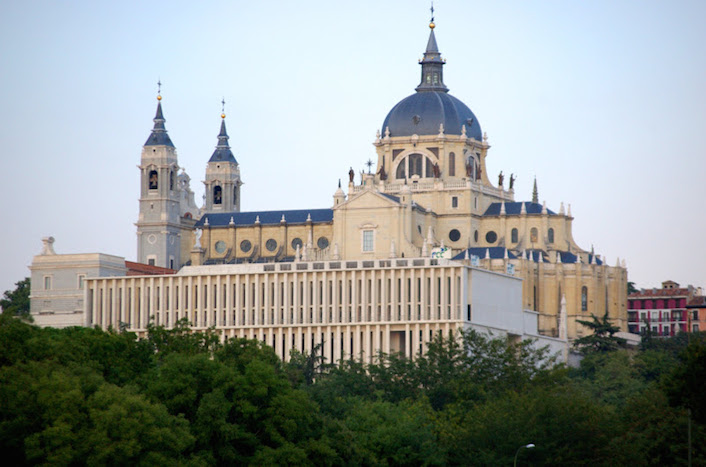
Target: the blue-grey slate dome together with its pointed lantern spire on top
(431, 106)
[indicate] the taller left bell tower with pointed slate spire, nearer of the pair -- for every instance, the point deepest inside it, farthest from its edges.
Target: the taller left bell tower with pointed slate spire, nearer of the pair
(158, 223)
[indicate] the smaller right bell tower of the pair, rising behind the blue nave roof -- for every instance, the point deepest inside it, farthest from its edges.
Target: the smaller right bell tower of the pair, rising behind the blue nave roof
(222, 176)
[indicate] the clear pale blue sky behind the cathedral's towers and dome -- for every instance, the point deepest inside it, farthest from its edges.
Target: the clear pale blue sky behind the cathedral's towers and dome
(603, 101)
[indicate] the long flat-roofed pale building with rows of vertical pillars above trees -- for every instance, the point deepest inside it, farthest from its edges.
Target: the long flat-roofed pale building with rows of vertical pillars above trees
(356, 308)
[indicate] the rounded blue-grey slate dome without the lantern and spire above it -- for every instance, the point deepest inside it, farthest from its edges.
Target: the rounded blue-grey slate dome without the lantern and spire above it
(423, 112)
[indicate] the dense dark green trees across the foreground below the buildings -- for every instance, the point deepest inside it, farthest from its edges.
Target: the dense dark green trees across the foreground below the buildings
(85, 396)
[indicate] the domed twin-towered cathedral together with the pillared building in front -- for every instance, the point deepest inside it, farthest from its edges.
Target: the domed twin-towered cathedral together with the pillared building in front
(421, 242)
